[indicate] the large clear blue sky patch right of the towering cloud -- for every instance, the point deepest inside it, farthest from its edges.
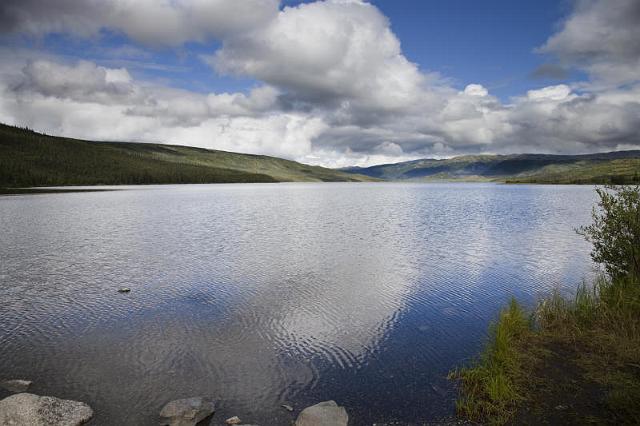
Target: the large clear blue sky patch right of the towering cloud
(488, 42)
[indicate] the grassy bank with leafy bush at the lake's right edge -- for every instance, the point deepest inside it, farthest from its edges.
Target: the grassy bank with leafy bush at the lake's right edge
(569, 360)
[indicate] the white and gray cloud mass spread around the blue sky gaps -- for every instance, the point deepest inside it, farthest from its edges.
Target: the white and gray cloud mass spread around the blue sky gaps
(333, 85)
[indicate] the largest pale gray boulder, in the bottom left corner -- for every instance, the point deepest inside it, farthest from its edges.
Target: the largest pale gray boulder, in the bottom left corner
(27, 409)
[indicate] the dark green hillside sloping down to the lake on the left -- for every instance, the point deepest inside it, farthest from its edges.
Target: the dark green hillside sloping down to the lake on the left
(28, 158)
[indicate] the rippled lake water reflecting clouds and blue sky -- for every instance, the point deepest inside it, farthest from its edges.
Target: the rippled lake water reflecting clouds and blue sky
(269, 294)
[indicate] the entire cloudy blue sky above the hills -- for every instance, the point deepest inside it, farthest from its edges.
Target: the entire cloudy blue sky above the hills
(335, 82)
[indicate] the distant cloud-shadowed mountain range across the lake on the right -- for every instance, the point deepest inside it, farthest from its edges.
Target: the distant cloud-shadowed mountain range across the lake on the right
(611, 167)
